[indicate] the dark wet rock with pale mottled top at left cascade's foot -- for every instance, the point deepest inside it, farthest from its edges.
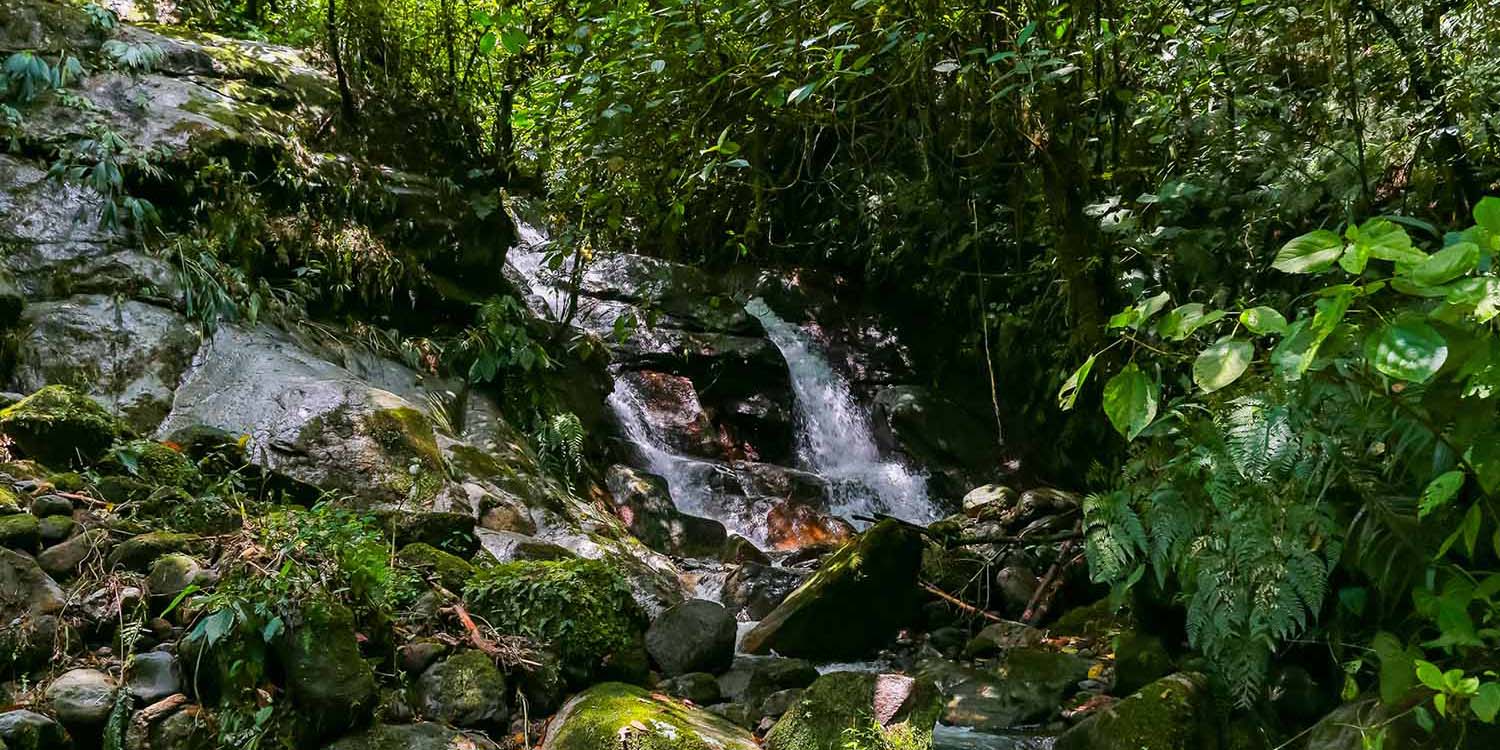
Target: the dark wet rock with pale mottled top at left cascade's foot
(646, 506)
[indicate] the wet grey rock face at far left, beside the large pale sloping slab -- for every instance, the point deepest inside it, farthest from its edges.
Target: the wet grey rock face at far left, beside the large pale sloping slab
(127, 355)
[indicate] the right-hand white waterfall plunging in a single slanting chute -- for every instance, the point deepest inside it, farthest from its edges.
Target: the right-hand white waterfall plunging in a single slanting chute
(835, 437)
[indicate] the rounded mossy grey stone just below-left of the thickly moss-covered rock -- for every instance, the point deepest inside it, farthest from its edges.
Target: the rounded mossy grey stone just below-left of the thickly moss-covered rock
(464, 691)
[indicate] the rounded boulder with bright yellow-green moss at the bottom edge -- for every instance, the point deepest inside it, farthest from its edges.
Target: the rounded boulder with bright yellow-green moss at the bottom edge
(614, 716)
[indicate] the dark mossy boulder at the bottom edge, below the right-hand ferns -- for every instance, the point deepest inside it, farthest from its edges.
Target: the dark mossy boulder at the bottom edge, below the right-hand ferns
(1174, 713)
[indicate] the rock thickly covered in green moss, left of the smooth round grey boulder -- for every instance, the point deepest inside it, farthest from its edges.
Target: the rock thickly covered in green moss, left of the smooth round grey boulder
(583, 608)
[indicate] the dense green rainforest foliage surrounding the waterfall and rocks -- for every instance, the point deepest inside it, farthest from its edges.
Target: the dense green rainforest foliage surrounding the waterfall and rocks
(1226, 271)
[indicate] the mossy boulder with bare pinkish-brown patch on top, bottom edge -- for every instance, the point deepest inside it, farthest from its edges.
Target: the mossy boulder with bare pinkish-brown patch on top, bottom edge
(863, 703)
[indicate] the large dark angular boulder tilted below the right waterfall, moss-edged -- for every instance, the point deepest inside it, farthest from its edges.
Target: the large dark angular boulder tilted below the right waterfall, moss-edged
(856, 602)
